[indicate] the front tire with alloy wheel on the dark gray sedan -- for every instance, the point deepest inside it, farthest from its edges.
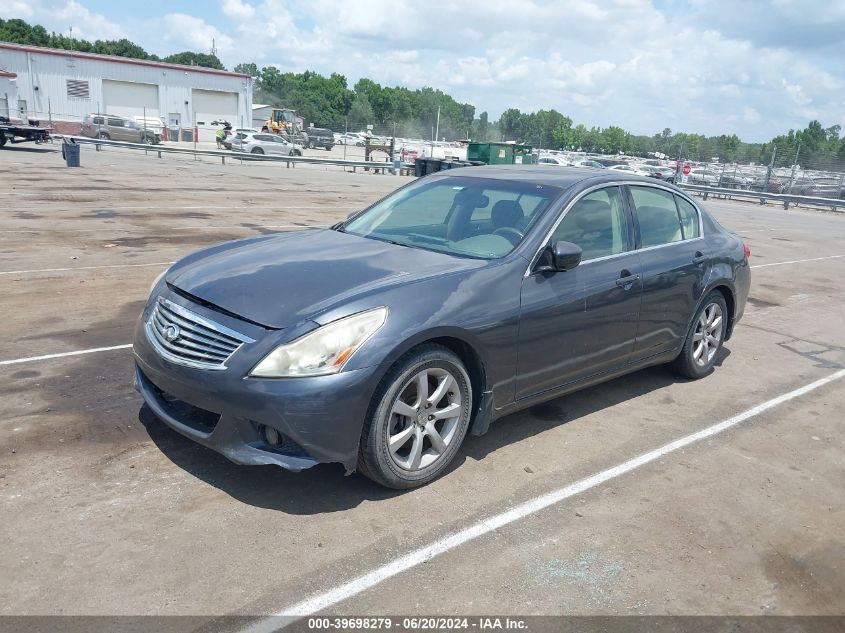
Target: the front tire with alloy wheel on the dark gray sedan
(414, 459)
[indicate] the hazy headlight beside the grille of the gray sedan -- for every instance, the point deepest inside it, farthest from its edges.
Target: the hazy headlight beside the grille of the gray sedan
(323, 351)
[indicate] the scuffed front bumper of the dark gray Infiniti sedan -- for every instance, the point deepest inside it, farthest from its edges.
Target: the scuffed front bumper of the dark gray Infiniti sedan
(321, 418)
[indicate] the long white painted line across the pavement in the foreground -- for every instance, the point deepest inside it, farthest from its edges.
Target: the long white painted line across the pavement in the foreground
(419, 556)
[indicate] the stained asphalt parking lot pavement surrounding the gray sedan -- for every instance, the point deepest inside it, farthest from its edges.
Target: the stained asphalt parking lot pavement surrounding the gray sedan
(102, 500)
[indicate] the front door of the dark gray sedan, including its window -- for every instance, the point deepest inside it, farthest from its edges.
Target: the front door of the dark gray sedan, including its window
(582, 322)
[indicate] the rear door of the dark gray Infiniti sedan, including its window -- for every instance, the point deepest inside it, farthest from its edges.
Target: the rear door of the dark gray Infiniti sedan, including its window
(675, 266)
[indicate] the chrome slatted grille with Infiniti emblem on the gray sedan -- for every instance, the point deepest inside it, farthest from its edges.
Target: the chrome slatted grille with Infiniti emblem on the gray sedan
(184, 337)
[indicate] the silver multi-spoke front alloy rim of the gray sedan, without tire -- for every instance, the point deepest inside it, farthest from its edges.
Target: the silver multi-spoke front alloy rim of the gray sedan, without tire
(424, 419)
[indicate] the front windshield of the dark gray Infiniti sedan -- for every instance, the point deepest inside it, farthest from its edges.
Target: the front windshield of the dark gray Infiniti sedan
(466, 217)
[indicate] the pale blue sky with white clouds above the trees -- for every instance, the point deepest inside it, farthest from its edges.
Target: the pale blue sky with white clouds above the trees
(745, 67)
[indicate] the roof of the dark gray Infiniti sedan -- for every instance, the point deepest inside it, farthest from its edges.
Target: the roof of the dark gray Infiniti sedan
(554, 176)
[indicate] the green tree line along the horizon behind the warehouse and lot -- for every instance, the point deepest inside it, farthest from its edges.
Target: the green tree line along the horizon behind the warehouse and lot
(330, 102)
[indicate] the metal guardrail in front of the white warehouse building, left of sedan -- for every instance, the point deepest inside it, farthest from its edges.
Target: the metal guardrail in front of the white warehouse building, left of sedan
(241, 156)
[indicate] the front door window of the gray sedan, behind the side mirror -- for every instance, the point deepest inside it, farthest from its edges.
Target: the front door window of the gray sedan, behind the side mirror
(597, 223)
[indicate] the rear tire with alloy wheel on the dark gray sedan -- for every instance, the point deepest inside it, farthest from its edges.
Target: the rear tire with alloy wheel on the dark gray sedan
(698, 355)
